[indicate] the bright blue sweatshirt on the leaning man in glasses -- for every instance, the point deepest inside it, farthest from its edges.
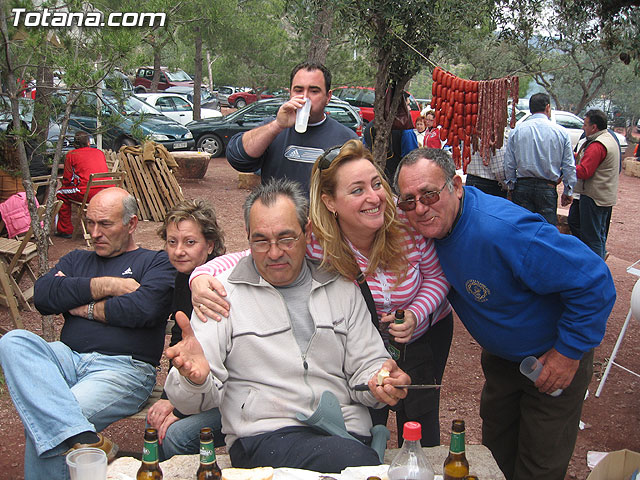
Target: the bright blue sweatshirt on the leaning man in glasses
(521, 287)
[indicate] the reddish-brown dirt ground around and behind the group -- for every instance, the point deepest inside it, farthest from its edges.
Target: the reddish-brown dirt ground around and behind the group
(611, 422)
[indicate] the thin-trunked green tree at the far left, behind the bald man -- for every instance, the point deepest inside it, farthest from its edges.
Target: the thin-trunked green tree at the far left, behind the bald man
(84, 56)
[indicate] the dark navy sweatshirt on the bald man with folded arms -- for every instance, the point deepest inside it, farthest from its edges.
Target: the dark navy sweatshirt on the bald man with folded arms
(136, 321)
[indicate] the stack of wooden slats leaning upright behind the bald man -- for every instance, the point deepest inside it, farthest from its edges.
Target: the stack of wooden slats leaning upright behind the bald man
(149, 178)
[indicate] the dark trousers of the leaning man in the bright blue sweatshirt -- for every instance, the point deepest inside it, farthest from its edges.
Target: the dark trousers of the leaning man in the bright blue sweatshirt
(530, 434)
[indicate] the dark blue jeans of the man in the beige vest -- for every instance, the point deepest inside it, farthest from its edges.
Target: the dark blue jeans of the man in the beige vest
(590, 223)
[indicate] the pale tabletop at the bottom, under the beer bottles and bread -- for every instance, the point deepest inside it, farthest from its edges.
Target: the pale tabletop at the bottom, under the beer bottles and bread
(183, 467)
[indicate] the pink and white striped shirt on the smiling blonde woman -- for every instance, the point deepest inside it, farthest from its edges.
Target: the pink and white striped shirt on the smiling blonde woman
(423, 291)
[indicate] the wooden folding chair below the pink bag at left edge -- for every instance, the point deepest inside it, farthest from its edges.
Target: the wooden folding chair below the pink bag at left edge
(15, 261)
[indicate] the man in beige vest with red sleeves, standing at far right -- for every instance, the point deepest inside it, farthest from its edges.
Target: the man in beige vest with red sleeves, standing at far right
(597, 170)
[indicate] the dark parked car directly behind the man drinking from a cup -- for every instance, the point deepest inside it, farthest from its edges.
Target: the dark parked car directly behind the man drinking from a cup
(213, 135)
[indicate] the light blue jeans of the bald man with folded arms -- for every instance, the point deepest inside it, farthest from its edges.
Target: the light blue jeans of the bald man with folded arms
(59, 393)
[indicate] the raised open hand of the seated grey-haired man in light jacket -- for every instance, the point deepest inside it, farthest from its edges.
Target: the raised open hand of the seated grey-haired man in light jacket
(187, 355)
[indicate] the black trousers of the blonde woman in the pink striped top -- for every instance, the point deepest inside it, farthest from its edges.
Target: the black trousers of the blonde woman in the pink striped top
(424, 362)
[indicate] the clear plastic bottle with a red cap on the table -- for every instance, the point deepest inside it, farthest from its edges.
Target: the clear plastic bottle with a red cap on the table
(411, 463)
